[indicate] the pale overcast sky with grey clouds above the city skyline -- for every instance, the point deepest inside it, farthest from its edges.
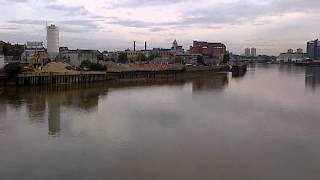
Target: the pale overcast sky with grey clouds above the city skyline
(271, 26)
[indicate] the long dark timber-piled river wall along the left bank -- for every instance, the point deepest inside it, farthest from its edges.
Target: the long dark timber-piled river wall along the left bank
(75, 77)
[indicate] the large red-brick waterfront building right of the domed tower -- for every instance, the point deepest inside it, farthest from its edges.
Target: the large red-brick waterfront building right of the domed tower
(213, 50)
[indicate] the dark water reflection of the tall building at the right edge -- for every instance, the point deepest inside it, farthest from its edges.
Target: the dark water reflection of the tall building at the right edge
(313, 77)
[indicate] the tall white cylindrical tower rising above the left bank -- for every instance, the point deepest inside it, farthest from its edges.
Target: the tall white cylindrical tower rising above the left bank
(52, 41)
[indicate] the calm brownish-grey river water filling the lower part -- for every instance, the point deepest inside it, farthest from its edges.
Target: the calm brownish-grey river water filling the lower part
(264, 125)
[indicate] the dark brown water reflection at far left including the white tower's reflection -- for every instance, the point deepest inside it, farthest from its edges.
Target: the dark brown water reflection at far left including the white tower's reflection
(45, 102)
